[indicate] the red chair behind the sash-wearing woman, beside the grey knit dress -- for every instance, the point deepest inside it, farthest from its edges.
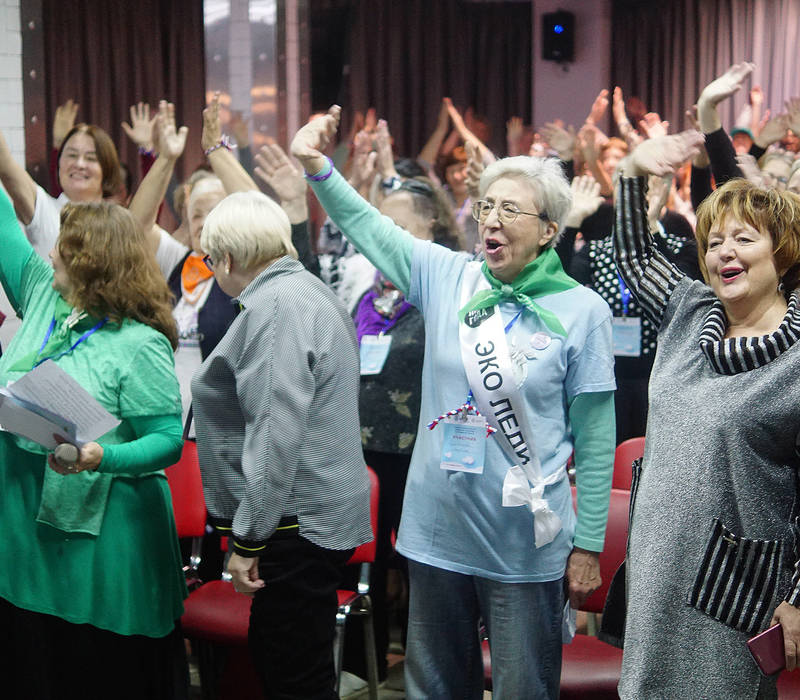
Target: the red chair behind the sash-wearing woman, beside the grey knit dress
(591, 668)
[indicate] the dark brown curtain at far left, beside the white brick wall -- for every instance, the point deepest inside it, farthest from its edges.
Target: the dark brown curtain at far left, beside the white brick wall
(110, 55)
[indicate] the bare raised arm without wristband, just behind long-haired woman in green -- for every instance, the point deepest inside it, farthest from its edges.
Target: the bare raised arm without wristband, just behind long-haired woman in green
(145, 203)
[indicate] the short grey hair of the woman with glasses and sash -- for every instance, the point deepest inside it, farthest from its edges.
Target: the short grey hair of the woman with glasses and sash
(551, 191)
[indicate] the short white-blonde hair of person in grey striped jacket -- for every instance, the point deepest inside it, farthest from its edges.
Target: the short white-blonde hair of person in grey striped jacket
(249, 226)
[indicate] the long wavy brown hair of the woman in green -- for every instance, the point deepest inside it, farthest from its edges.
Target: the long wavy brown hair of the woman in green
(110, 268)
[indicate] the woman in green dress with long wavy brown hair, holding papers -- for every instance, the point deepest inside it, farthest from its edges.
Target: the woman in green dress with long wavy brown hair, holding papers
(90, 574)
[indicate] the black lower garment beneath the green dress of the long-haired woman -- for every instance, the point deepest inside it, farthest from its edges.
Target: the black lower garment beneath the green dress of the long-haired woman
(43, 657)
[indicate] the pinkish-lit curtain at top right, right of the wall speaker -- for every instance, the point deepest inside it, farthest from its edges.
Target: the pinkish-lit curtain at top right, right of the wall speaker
(666, 52)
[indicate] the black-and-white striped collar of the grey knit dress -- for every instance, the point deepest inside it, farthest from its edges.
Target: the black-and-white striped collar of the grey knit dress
(735, 355)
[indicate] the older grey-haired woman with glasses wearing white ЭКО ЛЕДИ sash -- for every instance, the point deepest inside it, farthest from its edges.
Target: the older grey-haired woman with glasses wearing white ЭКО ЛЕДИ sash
(517, 374)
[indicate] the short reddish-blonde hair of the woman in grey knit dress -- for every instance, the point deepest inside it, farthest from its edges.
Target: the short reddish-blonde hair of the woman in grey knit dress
(772, 212)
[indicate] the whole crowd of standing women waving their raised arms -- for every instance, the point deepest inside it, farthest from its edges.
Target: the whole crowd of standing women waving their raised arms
(481, 330)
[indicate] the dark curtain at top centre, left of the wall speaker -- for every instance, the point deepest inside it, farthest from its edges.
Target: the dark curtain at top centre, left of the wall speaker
(403, 57)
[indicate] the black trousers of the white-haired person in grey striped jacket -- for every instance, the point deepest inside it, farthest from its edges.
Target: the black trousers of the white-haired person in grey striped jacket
(293, 619)
